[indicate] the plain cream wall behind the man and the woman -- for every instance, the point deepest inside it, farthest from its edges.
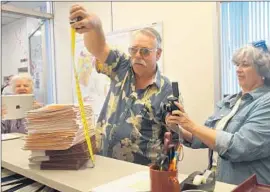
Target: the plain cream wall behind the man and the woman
(190, 52)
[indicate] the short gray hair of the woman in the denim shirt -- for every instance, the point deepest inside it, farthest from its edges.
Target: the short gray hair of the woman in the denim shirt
(256, 57)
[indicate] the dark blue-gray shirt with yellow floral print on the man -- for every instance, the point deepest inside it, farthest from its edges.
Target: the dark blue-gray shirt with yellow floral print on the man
(131, 123)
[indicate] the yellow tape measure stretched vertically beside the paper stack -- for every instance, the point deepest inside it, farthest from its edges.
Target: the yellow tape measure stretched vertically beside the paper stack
(80, 100)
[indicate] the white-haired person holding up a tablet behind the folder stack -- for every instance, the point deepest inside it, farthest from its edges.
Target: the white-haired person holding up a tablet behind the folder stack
(20, 84)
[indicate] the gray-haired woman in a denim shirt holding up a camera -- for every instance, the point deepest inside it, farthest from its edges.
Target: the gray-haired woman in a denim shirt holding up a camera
(238, 133)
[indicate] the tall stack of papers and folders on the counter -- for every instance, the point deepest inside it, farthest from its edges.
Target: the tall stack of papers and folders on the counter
(56, 137)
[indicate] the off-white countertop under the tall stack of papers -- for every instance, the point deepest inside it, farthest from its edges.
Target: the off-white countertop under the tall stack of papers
(106, 170)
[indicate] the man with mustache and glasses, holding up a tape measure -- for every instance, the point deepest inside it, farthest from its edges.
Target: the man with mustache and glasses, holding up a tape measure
(130, 124)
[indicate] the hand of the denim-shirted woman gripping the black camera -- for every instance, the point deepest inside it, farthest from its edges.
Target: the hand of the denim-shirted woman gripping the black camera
(181, 118)
